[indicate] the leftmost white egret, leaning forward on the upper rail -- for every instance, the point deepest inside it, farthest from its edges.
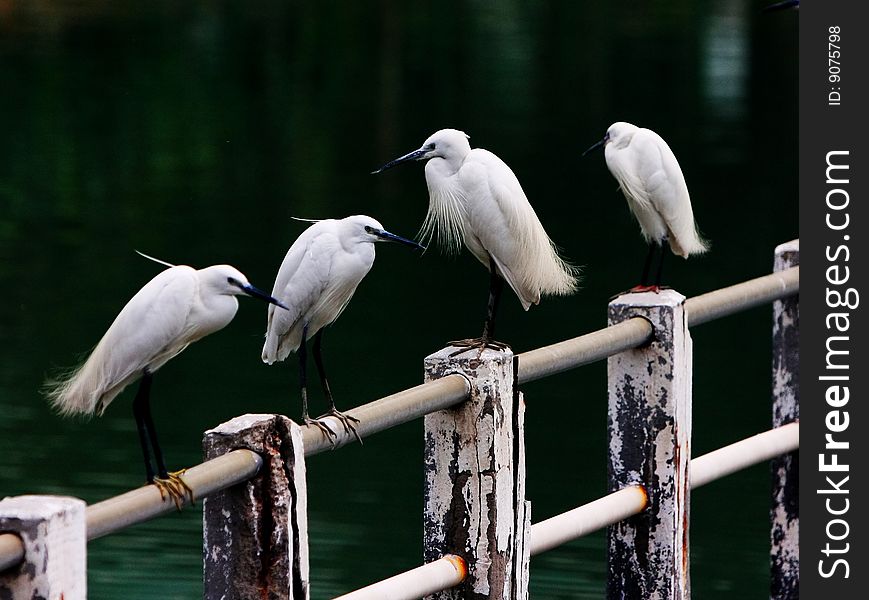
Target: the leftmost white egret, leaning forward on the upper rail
(177, 307)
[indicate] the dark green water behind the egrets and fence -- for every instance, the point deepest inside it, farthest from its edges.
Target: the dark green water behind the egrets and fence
(194, 132)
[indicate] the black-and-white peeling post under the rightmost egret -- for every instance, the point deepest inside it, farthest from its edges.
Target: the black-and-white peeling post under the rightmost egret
(649, 422)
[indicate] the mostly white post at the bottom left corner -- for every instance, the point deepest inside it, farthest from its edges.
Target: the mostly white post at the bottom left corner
(52, 529)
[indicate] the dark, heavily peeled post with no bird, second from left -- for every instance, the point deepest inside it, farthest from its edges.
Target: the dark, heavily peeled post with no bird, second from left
(255, 534)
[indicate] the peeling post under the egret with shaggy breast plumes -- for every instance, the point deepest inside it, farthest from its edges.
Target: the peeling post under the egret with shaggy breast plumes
(475, 477)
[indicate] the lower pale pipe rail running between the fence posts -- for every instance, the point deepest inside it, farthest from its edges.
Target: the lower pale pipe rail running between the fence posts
(600, 513)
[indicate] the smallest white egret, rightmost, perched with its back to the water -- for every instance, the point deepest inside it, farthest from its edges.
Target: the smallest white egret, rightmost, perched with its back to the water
(652, 182)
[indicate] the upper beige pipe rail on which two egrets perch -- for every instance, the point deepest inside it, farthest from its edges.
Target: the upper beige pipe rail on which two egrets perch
(145, 503)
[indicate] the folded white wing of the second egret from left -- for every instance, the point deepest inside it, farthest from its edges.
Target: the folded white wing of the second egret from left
(302, 278)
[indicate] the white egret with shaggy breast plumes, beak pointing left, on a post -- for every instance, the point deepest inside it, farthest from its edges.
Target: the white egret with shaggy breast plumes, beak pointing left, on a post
(476, 199)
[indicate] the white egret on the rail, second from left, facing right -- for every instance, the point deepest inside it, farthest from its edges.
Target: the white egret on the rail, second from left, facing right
(315, 282)
